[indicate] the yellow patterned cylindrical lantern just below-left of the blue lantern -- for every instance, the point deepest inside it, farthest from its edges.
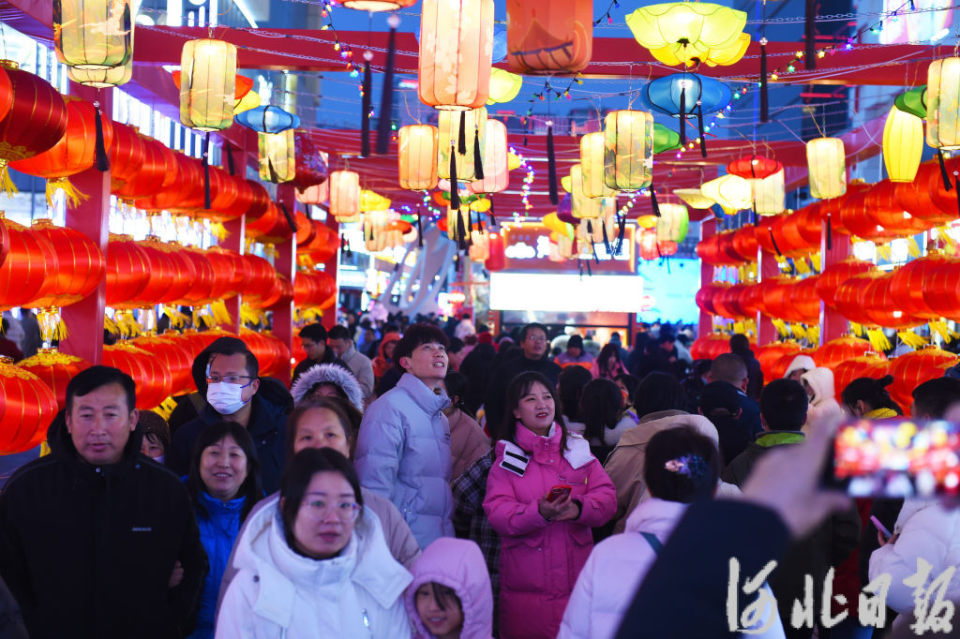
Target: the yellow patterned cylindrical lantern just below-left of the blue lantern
(628, 150)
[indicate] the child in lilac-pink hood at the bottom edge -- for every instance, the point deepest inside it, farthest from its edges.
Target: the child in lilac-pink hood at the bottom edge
(450, 596)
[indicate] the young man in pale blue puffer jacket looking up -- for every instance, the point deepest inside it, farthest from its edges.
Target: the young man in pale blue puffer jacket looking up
(403, 449)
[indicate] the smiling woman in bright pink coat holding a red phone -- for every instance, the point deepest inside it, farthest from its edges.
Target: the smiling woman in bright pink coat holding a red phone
(544, 494)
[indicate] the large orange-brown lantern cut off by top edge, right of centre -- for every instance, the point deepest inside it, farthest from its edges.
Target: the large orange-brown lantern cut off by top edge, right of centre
(549, 37)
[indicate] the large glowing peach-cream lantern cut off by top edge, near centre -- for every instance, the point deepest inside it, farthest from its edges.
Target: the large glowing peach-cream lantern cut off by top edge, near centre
(456, 49)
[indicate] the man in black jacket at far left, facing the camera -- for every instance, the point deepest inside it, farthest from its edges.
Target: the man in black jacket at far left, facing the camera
(96, 540)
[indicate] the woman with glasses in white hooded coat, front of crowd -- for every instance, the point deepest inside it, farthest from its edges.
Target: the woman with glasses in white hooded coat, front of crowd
(317, 566)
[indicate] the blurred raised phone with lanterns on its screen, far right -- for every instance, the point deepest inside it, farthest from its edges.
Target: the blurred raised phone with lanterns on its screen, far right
(898, 458)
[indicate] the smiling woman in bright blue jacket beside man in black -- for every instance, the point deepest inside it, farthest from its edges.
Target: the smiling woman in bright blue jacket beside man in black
(224, 484)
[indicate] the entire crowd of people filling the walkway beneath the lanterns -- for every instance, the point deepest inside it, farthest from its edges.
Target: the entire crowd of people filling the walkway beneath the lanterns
(431, 481)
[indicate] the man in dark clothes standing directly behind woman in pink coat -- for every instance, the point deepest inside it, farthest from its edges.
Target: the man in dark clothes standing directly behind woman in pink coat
(534, 346)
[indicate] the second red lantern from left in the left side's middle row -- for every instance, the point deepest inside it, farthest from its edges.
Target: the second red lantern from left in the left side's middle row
(77, 268)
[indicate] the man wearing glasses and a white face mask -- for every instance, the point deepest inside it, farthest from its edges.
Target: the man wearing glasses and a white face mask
(233, 392)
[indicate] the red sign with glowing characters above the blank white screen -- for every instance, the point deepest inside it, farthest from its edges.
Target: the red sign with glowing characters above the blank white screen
(527, 248)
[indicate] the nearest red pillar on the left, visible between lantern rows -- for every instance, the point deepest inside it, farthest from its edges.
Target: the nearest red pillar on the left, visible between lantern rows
(84, 319)
